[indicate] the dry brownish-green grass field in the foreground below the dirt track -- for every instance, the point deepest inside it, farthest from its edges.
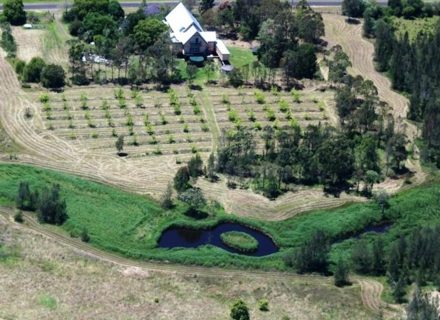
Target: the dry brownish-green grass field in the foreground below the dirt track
(62, 283)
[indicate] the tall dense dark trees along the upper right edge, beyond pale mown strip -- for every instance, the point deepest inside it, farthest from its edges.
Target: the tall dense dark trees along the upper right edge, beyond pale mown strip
(411, 62)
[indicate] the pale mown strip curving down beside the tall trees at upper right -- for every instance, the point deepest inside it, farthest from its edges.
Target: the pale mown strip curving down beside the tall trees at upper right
(361, 53)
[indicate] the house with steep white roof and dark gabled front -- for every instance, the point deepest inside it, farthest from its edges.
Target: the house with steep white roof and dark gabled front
(189, 38)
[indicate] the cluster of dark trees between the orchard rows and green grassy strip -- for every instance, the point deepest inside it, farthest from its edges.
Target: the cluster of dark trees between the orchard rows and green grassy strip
(344, 158)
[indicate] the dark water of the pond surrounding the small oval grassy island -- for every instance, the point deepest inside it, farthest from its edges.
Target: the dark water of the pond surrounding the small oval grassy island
(180, 237)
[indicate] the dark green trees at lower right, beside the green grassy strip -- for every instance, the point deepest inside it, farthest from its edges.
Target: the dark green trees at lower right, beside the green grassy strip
(412, 258)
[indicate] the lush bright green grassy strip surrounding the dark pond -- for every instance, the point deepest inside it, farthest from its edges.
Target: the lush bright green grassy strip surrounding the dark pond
(131, 224)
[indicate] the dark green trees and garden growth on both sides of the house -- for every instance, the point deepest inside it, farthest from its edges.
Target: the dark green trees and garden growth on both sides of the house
(136, 47)
